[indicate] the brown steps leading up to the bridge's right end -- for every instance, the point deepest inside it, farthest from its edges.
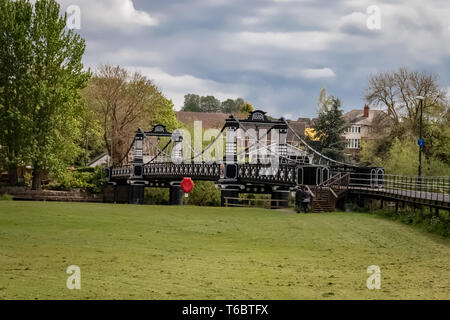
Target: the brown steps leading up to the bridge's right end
(326, 195)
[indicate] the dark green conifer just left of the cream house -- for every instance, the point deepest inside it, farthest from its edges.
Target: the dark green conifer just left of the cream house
(330, 127)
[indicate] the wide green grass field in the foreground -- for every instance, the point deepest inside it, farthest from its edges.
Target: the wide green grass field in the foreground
(144, 252)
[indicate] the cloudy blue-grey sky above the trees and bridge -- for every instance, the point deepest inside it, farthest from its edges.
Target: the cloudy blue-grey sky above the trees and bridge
(276, 54)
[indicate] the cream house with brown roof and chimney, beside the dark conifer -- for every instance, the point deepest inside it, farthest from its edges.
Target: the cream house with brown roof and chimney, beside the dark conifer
(361, 126)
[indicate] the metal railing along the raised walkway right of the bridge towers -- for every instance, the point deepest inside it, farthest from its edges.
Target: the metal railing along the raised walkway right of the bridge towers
(426, 188)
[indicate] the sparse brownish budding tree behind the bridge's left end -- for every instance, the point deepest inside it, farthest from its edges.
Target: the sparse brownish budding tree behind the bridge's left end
(124, 102)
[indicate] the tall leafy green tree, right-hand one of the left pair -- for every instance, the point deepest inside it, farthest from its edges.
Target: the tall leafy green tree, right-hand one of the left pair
(56, 101)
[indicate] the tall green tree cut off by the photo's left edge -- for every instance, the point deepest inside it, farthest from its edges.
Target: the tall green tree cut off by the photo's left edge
(16, 56)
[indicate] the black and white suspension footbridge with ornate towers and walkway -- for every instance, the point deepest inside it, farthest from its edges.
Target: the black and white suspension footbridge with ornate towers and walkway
(259, 155)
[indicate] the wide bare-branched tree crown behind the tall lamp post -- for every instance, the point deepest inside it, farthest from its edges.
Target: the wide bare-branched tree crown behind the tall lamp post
(396, 92)
